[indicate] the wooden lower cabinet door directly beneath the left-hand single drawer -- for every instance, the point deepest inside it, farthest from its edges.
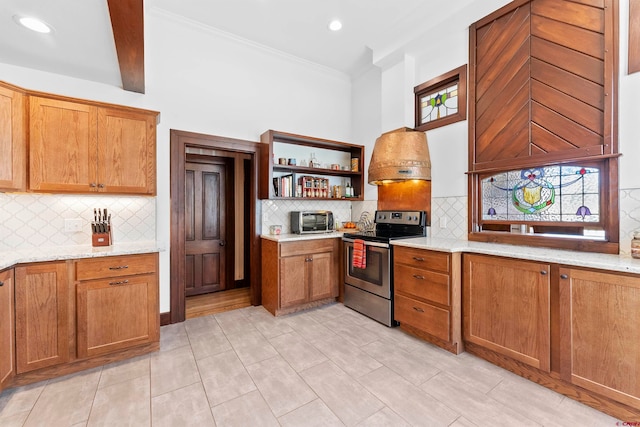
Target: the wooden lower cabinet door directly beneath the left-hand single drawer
(113, 314)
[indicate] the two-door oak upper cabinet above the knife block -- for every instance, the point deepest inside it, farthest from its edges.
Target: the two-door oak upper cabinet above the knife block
(80, 147)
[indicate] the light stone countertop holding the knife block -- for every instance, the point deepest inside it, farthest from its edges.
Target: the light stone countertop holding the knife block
(56, 253)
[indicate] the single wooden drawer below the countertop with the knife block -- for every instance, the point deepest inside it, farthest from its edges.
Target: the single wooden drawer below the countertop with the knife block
(99, 268)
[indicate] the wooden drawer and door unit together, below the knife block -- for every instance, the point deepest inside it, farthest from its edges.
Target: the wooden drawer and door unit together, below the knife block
(116, 303)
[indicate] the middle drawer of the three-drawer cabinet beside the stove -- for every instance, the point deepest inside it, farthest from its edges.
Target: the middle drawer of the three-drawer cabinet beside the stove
(422, 284)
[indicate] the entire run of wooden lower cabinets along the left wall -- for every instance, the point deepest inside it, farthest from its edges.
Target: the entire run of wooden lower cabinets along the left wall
(74, 315)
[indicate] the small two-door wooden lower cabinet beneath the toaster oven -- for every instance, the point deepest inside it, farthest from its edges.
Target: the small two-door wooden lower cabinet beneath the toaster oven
(299, 274)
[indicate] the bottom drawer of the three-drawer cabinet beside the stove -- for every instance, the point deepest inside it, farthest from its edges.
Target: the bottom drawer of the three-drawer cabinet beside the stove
(430, 319)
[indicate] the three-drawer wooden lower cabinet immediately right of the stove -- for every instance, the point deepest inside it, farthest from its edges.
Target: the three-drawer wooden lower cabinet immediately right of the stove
(427, 295)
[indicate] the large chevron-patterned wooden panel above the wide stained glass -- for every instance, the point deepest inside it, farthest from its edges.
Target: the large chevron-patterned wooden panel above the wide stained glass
(542, 84)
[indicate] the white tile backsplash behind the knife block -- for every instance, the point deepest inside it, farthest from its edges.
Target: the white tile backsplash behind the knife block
(37, 220)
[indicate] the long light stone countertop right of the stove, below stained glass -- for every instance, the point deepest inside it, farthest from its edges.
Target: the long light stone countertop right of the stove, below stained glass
(622, 263)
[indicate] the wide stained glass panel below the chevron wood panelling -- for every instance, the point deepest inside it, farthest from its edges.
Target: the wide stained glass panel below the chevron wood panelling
(550, 194)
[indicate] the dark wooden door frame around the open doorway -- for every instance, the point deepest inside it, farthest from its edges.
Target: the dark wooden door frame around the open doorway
(179, 141)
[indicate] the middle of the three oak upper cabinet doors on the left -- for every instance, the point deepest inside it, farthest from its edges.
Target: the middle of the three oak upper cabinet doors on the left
(62, 146)
